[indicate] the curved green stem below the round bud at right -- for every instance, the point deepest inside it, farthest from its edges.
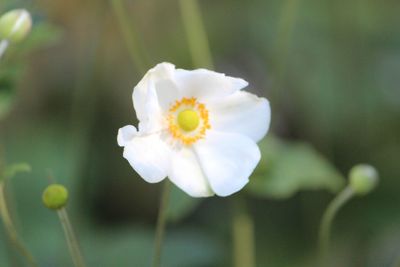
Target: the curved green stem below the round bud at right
(326, 223)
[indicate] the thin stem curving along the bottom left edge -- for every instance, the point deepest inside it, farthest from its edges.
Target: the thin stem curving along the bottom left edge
(10, 228)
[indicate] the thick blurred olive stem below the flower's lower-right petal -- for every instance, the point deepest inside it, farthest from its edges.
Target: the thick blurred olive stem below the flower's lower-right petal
(243, 235)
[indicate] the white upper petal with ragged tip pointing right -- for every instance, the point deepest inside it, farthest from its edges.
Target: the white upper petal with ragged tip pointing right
(207, 85)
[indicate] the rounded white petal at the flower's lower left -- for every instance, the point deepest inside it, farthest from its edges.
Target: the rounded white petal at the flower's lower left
(149, 156)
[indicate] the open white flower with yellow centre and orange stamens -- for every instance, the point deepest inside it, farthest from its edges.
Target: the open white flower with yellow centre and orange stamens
(196, 127)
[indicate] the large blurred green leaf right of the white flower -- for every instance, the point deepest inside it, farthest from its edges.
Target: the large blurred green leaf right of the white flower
(288, 167)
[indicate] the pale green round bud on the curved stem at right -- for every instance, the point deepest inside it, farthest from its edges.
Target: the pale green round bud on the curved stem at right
(363, 179)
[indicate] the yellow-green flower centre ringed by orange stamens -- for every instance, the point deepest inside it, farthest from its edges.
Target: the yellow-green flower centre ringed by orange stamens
(188, 120)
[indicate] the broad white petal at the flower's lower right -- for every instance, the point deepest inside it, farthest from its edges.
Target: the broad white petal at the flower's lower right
(227, 160)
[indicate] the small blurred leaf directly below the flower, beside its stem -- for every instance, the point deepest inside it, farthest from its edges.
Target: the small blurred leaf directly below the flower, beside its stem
(181, 204)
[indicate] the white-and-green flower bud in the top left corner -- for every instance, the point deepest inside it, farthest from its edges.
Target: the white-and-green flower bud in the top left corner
(15, 25)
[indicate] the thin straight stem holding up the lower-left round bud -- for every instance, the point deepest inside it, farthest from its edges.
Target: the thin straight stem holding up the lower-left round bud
(72, 242)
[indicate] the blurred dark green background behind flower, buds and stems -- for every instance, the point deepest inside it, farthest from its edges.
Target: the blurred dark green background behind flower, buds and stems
(331, 70)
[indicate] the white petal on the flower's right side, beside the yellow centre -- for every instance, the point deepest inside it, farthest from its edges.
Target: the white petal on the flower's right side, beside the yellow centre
(243, 113)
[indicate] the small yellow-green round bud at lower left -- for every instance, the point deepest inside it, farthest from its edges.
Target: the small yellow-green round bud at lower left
(55, 196)
